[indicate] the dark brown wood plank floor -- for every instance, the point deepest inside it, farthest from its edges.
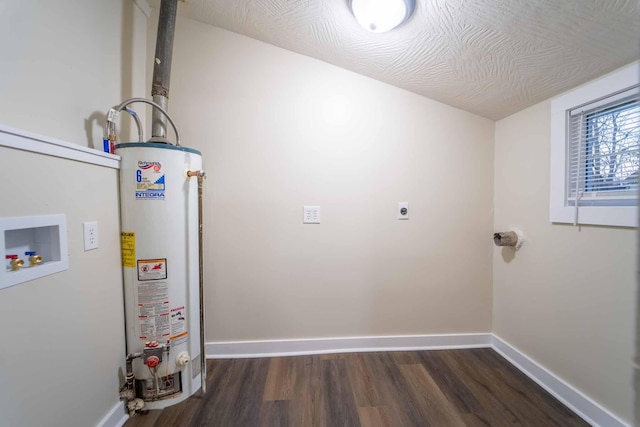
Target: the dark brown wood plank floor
(400, 389)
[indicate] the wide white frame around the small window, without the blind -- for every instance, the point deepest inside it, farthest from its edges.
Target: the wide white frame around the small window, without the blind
(559, 209)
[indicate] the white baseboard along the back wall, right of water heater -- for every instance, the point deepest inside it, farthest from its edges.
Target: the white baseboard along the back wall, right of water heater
(298, 347)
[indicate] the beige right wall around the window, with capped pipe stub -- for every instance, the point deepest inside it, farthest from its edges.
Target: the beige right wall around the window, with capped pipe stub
(567, 298)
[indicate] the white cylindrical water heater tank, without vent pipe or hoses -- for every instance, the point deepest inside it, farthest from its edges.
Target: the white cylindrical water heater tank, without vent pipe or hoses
(159, 215)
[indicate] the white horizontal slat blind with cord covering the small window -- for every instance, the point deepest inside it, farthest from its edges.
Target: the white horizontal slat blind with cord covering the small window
(603, 152)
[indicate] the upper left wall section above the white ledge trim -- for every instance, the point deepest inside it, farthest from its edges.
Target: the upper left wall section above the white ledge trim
(65, 62)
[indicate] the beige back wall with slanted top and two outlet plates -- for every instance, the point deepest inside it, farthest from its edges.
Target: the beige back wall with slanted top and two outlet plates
(278, 131)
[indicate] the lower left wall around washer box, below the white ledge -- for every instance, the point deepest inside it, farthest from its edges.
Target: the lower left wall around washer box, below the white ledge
(63, 335)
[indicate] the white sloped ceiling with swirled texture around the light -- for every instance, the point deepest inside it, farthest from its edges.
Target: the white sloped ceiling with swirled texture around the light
(489, 57)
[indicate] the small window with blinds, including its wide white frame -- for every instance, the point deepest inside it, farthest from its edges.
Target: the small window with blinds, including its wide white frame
(595, 157)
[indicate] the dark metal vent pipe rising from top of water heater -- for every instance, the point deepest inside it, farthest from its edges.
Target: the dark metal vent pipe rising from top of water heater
(162, 68)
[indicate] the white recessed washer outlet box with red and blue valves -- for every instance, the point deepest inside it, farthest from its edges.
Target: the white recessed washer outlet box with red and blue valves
(46, 235)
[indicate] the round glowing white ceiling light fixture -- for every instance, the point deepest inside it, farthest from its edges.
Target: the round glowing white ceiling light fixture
(379, 16)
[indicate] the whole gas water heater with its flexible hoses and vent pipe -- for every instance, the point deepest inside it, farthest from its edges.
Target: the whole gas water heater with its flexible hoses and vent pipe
(161, 232)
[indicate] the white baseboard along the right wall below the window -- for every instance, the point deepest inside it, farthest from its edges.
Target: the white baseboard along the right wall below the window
(575, 400)
